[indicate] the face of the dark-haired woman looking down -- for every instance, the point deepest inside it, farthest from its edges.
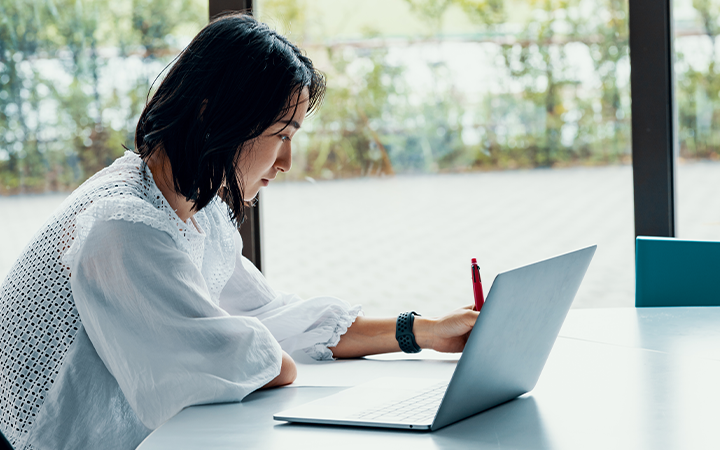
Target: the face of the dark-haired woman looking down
(271, 152)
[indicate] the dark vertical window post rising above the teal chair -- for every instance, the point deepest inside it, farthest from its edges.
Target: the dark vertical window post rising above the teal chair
(653, 117)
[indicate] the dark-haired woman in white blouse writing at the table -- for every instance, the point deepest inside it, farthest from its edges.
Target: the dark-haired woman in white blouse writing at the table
(134, 301)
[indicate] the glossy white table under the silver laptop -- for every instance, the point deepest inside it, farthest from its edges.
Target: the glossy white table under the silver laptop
(616, 379)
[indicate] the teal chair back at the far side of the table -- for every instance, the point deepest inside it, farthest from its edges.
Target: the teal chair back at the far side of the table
(676, 272)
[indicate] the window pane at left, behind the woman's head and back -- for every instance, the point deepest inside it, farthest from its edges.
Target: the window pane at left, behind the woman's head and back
(74, 76)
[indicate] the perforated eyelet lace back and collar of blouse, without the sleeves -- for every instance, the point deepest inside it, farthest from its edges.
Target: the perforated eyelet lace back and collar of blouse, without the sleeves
(38, 317)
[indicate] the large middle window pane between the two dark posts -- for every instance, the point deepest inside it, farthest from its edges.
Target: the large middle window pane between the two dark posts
(454, 129)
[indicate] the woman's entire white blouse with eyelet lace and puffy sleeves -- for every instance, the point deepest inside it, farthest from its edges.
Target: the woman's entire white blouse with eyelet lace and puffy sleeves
(118, 315)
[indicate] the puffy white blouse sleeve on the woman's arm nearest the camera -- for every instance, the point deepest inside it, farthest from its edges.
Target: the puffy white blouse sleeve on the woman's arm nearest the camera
(148, 313)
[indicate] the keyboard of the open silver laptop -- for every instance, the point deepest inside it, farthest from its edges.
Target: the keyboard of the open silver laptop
(419, 408)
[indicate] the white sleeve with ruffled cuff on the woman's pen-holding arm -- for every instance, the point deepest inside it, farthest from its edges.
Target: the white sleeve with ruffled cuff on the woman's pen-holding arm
(312, 325)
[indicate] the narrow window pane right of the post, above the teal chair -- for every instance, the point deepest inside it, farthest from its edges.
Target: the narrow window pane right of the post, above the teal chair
(697, 72)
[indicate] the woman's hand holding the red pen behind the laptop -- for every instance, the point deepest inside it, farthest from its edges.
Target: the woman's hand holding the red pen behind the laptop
(448, 333)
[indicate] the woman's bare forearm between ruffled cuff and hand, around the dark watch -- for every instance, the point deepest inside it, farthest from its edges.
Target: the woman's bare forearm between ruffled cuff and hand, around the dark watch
(370, 336)
